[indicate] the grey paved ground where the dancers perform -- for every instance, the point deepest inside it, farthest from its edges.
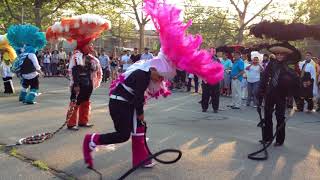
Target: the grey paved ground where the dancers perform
(215, 146)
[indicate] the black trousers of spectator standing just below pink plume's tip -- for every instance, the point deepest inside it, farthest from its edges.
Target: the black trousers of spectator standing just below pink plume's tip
(212, 91)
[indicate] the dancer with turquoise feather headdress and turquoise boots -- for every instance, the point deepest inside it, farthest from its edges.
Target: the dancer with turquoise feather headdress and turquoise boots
(26, 40)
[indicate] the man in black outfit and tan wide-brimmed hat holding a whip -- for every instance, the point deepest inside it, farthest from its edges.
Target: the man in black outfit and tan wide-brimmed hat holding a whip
(277, 83)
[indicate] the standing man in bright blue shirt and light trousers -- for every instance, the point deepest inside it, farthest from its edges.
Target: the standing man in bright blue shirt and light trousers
(237, 77)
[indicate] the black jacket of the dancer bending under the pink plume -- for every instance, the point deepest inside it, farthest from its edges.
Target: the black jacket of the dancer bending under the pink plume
(138, 81)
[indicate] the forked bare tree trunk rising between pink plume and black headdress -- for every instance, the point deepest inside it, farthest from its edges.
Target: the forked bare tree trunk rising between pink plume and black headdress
(242, 15)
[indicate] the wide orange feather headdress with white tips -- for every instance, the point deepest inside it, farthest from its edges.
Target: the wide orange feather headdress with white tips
(83, 29)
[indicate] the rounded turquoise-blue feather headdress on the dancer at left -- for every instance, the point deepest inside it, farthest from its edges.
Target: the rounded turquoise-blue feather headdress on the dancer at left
(27, 38)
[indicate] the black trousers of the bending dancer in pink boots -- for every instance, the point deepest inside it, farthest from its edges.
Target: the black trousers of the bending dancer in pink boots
(122, 116)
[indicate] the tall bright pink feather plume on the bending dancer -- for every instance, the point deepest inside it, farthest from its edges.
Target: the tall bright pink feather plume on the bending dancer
(179, 47)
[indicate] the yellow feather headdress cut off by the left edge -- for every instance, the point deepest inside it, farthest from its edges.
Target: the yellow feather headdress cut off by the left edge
(9, 54)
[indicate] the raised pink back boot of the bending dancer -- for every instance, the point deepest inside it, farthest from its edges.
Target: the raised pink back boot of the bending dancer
(90, 142)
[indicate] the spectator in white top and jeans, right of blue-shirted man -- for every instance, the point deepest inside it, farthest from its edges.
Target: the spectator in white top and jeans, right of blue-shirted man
(253, 78)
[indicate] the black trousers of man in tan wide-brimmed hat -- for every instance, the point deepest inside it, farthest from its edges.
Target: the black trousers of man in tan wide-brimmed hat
(277, 103)
